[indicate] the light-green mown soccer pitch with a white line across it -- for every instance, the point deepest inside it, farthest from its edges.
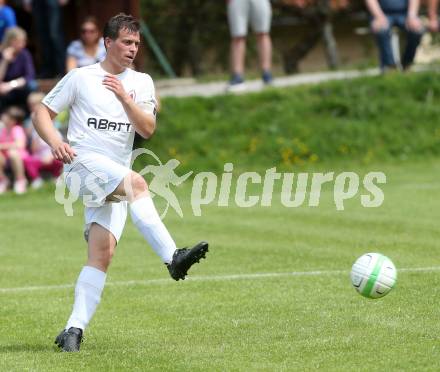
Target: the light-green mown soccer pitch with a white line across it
(273, 294)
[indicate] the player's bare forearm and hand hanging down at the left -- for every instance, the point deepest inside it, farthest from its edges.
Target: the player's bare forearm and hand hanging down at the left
(43, 123)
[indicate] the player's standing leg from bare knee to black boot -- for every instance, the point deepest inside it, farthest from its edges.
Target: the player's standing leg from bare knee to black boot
(89, 286)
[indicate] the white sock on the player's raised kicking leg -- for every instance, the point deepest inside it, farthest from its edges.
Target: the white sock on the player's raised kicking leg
(149, 224)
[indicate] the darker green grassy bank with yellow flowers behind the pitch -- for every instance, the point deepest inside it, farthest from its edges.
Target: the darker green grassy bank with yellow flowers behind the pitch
(362, 120)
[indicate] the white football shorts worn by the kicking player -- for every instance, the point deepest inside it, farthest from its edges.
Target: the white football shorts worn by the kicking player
(93, 177)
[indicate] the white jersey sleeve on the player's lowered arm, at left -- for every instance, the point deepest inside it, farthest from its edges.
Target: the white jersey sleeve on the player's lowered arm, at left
(63, 94)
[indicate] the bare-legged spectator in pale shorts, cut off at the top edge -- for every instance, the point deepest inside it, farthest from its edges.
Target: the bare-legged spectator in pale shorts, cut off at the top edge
(259, 12)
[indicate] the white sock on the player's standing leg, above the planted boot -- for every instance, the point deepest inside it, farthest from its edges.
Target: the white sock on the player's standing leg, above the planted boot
(88, 291)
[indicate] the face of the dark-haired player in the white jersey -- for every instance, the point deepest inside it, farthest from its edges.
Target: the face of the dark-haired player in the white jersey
(124, 48)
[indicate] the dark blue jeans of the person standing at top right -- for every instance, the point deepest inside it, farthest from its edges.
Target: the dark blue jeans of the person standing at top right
(383, 39)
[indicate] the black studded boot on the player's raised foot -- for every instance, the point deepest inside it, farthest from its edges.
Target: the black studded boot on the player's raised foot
(184, 258)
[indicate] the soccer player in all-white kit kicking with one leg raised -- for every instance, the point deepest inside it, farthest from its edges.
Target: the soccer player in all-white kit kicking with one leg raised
(108, 103)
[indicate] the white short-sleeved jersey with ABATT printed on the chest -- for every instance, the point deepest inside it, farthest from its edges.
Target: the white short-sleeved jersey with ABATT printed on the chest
(97, 121)
